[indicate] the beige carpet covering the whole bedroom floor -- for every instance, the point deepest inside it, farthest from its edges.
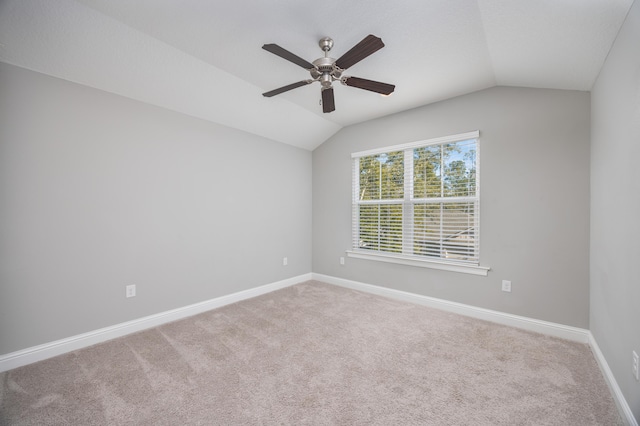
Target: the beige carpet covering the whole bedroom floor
(316, 354)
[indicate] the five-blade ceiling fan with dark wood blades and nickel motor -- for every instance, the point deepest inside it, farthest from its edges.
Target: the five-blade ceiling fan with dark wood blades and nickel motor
(326, 70)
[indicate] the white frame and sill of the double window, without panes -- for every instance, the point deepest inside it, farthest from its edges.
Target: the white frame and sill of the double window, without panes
(408, 201)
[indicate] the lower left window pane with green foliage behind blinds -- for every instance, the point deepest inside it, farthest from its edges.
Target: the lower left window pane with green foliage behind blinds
(381, 227)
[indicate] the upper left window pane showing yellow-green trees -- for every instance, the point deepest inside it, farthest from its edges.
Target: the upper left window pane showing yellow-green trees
(382, 176)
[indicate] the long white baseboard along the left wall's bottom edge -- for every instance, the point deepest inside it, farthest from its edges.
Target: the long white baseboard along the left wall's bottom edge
(59, 347)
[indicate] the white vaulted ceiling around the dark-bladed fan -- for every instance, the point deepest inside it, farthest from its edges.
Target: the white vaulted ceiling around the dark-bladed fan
(204, 58)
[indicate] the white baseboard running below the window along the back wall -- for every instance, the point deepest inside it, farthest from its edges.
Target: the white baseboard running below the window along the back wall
(544, 327)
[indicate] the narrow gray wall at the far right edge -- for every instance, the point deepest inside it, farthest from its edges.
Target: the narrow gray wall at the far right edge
(615, 207)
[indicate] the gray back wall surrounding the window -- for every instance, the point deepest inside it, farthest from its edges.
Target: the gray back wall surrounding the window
(534, 180)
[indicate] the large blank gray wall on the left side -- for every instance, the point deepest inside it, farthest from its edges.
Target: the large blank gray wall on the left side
(98, 191)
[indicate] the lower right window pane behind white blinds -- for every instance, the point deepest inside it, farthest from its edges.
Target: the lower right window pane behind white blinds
(445, 230)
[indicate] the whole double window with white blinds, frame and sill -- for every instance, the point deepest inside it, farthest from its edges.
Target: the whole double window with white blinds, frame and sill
(419, 203)
